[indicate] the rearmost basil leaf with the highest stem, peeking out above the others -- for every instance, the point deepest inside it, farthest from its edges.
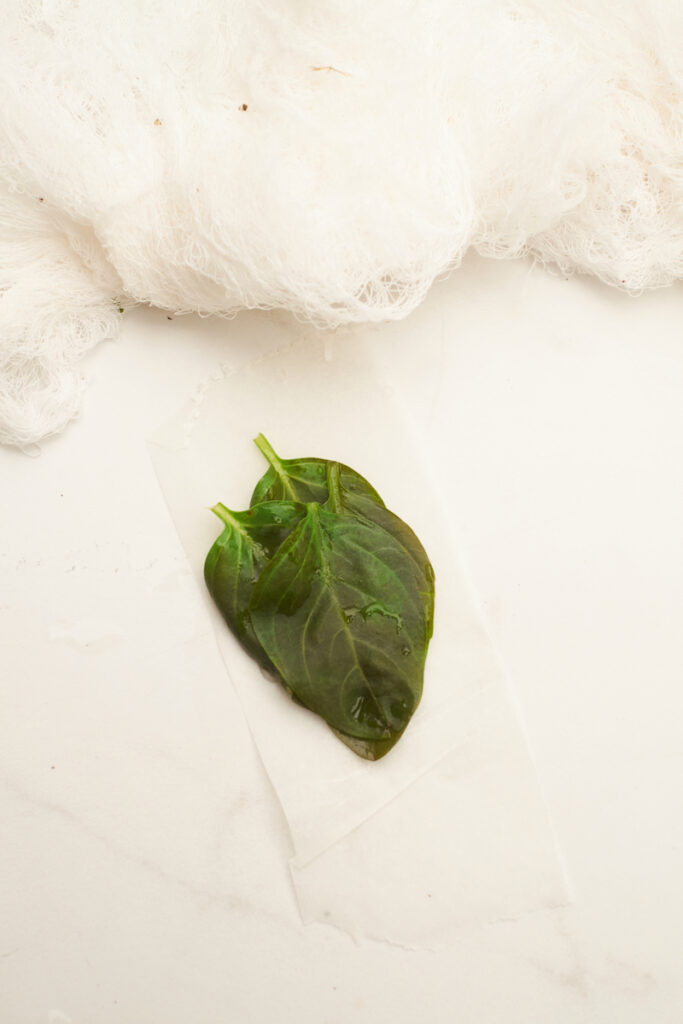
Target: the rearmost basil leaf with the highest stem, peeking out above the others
(305, 480)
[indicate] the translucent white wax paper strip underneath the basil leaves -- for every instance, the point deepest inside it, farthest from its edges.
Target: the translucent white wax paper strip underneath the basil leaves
(450, 830)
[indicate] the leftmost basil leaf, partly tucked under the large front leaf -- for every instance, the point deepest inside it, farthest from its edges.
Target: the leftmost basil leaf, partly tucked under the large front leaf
(235, 562)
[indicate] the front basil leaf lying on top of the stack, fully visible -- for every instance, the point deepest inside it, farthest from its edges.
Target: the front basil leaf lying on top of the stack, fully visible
(344, 612)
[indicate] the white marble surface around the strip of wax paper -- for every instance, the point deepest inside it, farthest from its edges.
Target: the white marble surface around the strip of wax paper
(144, 860)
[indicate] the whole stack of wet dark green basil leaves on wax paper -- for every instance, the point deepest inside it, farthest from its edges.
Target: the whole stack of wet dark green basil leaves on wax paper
(331, 593)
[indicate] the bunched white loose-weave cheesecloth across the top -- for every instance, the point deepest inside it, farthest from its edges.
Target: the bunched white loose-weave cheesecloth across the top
(331, 159)
